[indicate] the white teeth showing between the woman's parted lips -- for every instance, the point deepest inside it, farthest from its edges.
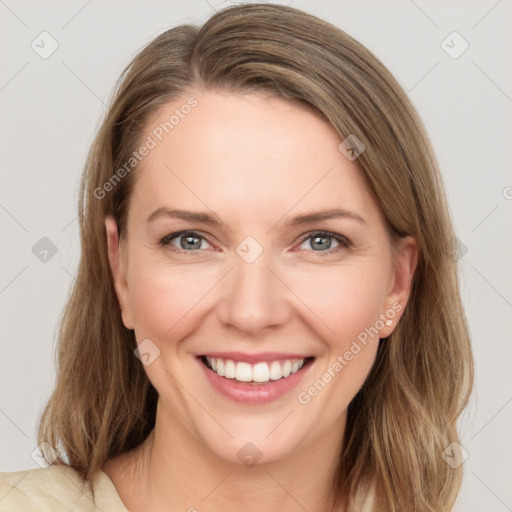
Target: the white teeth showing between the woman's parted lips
(258, 373)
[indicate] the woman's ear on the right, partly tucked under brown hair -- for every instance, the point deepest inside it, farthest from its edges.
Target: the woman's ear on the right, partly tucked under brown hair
(399, 284)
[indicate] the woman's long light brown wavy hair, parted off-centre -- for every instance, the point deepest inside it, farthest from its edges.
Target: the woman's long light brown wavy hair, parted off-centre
(405, 414)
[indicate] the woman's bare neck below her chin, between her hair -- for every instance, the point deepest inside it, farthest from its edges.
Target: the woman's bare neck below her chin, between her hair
(172, 470)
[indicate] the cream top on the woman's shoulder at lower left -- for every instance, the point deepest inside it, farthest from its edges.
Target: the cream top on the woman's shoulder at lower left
(57, 489)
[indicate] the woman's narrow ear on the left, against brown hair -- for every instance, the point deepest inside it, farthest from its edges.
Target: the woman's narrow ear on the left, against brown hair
(117, 262)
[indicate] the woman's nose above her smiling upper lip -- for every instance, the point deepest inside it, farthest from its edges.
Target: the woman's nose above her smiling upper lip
(253, 298)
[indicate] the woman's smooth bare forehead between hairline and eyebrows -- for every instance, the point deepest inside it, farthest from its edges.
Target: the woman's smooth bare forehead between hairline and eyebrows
(246, 156)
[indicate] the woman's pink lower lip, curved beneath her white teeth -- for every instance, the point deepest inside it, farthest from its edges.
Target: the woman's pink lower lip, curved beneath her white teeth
(248, 393)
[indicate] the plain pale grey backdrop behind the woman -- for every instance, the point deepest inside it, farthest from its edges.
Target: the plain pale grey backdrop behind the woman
(60, 61)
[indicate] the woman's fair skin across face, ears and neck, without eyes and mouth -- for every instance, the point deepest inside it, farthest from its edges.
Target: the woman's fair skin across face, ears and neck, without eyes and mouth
(255, 162)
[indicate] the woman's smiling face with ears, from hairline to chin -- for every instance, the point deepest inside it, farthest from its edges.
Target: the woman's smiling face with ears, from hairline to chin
(253, 241)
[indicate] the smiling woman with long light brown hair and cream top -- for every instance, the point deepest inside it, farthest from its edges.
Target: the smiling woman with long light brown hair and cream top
(266, 315)
